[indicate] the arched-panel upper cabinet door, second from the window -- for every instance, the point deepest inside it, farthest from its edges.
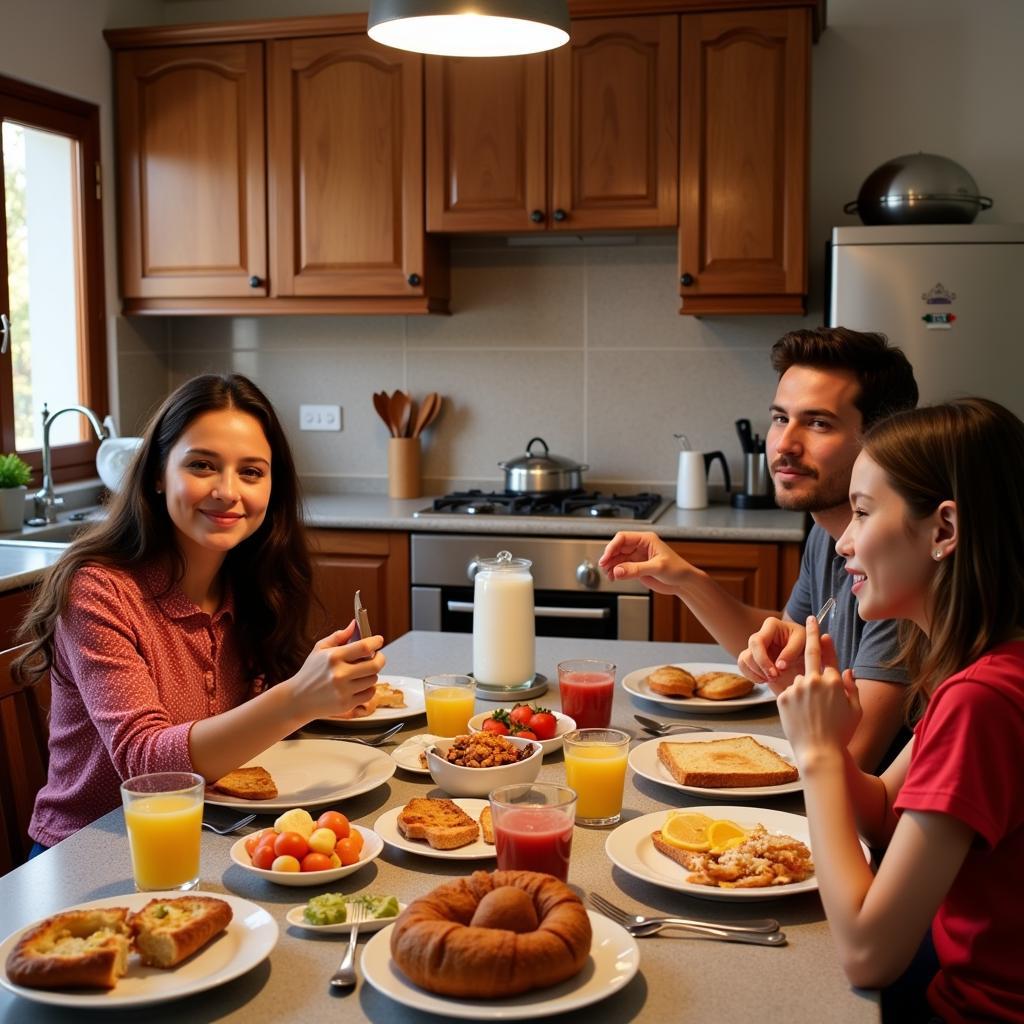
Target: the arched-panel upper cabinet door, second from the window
(346, 139)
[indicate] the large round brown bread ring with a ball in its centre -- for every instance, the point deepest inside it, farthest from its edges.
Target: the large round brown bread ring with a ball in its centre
(435, 945)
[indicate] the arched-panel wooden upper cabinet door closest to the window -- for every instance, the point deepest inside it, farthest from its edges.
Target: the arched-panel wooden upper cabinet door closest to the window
(193, 186)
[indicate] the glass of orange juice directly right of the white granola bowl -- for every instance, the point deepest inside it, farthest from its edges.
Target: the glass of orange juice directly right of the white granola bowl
(595, 767)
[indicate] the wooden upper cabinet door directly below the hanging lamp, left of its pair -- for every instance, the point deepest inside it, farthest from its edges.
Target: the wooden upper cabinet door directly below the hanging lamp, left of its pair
(487, 155)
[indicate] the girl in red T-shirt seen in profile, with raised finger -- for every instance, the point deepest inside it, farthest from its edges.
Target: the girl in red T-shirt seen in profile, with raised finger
(937, 540)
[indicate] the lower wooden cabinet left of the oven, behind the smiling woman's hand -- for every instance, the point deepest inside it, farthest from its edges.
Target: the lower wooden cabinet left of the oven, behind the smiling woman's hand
(375, 564)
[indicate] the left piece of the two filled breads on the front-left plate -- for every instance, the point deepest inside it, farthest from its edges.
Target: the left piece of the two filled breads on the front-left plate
(75, 950)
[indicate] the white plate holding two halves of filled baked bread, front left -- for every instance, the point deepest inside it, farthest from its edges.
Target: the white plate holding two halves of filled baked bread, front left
(137, 950)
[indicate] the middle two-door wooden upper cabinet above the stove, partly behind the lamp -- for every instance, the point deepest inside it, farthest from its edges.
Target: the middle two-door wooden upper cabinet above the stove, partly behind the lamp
(582, 140)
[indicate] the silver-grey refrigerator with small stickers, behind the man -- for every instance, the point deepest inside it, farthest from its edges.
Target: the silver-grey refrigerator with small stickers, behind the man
(952, 296)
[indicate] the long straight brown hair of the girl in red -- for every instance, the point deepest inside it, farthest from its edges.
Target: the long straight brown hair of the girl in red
(970, 452)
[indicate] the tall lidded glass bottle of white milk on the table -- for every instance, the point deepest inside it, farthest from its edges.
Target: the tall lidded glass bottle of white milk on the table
(503, 623)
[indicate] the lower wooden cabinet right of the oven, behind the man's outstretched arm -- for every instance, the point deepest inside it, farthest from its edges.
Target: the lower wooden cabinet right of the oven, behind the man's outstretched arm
(761, 575)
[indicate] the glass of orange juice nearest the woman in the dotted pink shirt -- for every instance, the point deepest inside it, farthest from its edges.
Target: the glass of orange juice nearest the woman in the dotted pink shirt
(164, 815)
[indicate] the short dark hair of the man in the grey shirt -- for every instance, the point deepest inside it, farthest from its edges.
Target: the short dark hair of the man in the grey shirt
(885, 374)
